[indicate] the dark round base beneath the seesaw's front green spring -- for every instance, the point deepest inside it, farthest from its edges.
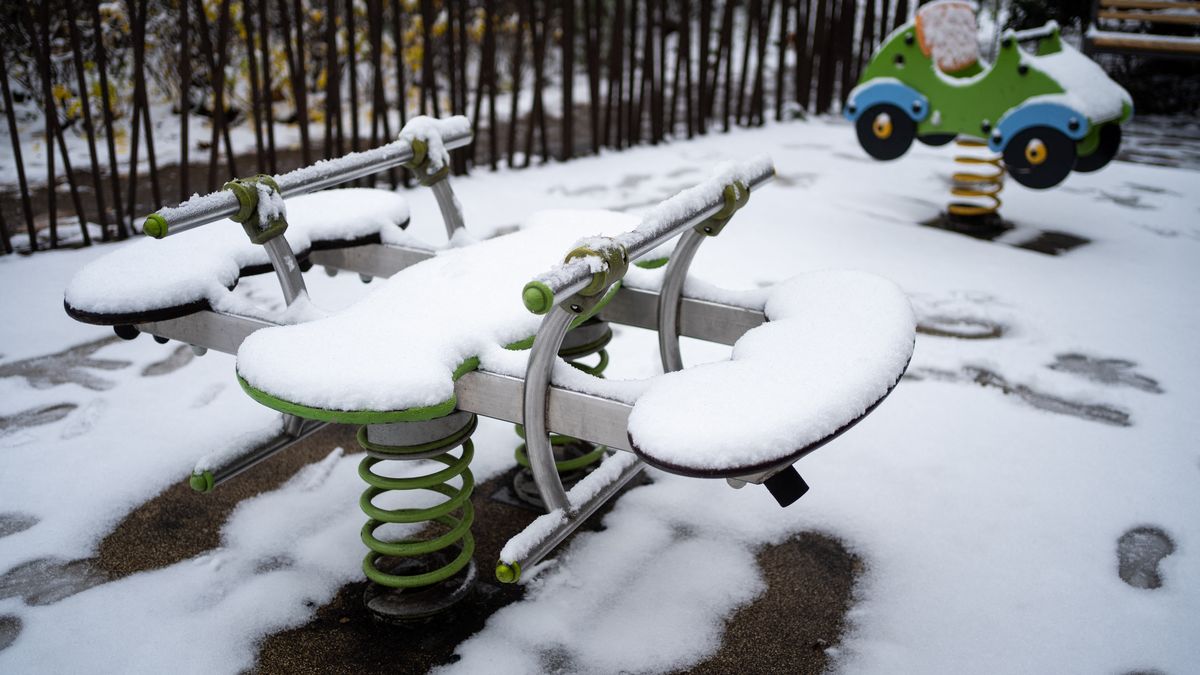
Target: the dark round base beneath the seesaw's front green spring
(406, 606)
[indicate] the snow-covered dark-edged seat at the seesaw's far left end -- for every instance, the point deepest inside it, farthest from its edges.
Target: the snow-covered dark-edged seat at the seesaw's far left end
(195, 271)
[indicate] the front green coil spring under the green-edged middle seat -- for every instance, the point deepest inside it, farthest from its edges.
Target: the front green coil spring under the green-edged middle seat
(458, 500)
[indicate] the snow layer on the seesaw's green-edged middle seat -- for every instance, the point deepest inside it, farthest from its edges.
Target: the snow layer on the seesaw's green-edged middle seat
(399, 349)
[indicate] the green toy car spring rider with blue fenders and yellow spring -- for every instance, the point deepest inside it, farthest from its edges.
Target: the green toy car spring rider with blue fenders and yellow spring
(1036, 116)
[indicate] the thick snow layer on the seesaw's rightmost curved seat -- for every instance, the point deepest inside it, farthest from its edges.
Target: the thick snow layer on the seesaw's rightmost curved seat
(833, 345)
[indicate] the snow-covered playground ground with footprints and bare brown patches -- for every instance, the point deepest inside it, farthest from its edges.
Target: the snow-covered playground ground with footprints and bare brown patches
(987, 497)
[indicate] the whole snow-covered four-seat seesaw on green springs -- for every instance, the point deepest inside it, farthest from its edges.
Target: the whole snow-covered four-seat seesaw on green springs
(484, 328)
